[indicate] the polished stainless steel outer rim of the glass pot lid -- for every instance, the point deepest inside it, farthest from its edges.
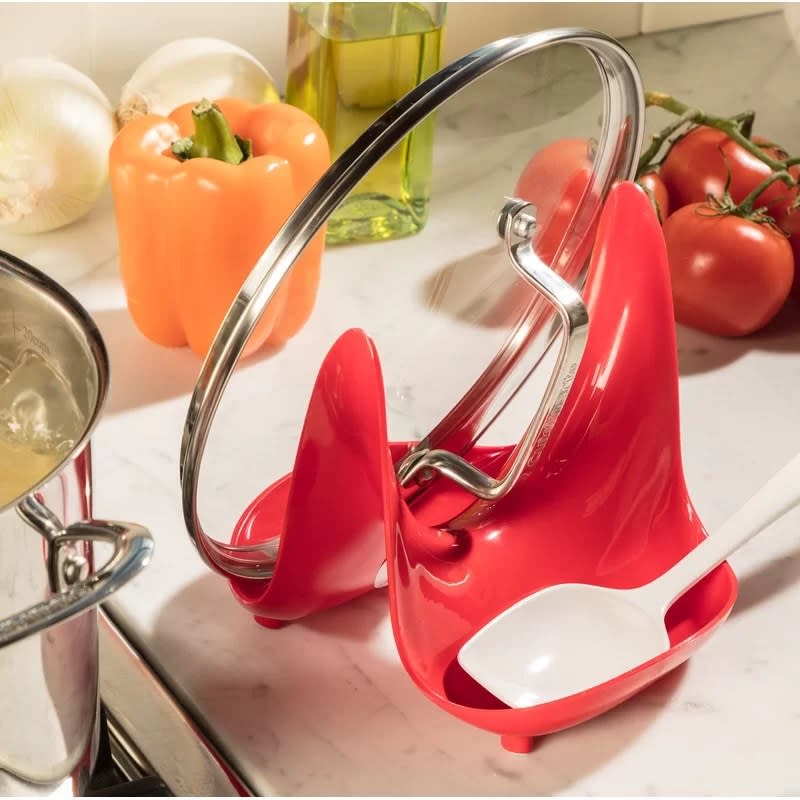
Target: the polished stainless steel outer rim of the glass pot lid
(623, 96)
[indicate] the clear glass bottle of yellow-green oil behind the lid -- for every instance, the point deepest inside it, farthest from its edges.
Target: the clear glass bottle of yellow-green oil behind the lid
(347, 63)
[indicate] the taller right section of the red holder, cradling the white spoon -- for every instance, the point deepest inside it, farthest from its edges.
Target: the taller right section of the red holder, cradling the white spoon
(607, 504)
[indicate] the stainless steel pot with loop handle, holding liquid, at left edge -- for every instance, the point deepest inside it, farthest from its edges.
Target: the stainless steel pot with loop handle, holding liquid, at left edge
(53, 383)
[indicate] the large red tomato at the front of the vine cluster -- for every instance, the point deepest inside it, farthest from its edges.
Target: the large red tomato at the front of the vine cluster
(730, 276)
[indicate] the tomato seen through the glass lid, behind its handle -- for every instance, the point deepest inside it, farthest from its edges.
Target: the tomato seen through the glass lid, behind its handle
(555, 181)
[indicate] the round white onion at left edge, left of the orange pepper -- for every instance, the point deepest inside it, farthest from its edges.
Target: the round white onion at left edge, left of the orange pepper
(56, 127)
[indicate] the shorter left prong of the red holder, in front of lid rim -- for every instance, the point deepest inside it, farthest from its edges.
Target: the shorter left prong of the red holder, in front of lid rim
(330, 511)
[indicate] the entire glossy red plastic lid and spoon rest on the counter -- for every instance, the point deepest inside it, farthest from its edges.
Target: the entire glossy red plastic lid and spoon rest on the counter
(605, 504)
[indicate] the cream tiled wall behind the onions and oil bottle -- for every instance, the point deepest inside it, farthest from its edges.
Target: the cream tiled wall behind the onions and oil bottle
(108, 40)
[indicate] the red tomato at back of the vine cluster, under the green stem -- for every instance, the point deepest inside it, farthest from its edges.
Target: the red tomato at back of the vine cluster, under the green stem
(697, 165)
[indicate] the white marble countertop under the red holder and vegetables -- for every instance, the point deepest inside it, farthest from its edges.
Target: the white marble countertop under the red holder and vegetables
(324, 706)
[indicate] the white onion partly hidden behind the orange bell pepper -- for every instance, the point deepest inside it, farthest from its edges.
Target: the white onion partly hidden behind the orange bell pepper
(186, 70)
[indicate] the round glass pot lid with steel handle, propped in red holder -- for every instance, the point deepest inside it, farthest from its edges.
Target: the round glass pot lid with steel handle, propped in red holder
(478, 318)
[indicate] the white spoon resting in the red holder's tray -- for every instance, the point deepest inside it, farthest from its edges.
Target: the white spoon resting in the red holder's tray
(570, 637)
